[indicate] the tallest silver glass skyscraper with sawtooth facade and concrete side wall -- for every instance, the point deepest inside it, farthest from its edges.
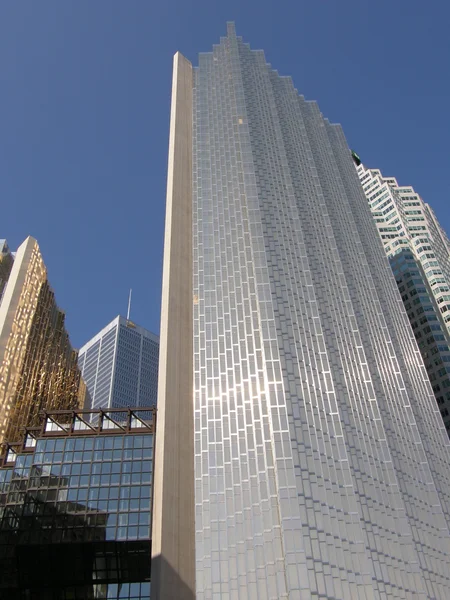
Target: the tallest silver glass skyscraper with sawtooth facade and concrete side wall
(311, 460)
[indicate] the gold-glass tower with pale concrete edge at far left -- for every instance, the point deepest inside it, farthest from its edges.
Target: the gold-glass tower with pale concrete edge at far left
(38, 366)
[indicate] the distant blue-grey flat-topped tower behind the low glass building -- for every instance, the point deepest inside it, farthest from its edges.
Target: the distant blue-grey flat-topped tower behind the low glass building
(120, 366)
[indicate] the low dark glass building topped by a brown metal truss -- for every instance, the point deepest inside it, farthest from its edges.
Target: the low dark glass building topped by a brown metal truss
(75, 508)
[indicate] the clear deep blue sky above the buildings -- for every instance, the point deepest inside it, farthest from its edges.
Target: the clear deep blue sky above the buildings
(84, 118)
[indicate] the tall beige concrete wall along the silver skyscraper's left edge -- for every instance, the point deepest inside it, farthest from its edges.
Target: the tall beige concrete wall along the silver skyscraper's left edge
(173, 535)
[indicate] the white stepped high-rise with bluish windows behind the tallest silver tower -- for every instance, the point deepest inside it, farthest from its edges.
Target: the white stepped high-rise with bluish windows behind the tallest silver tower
(419, 253)
